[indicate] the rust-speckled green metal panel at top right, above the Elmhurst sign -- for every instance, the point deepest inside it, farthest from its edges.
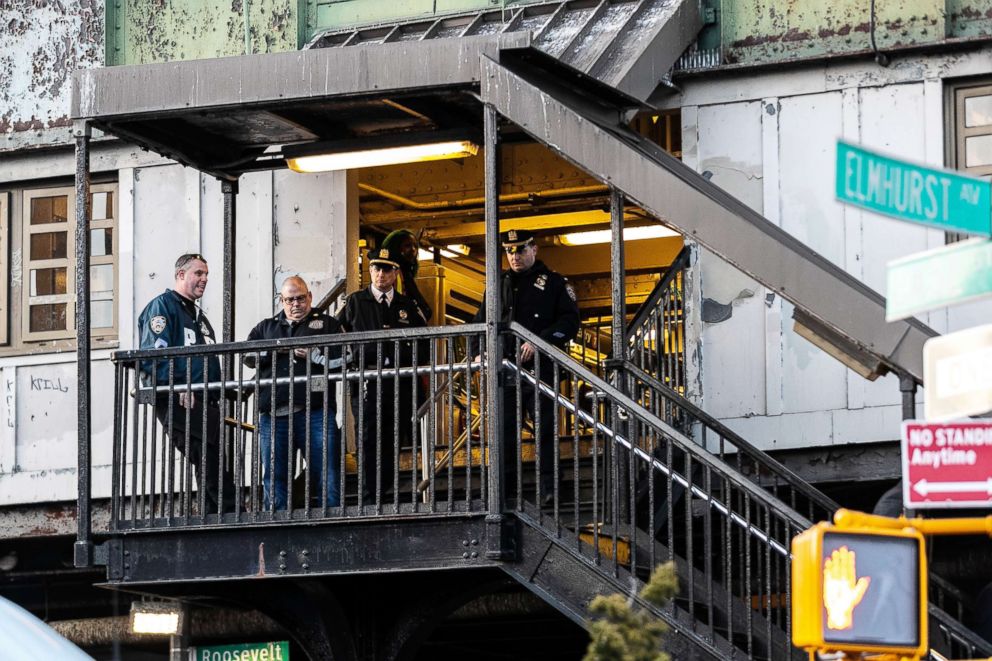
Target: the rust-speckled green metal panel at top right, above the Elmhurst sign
(760, 32)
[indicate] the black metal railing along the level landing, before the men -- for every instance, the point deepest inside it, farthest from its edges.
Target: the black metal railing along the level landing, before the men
(248, 431)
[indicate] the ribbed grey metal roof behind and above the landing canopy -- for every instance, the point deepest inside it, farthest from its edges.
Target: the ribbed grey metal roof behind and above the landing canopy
(628, 45)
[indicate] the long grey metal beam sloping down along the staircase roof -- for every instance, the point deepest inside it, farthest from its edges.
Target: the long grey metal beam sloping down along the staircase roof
(598, 141)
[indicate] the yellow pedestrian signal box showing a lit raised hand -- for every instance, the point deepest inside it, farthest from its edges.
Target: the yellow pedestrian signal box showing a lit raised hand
(859, 590)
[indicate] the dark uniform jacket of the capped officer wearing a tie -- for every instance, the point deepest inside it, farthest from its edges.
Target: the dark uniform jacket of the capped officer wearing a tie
(363, 313)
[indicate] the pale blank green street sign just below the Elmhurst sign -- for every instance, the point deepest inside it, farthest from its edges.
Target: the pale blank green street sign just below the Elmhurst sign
(937, 278)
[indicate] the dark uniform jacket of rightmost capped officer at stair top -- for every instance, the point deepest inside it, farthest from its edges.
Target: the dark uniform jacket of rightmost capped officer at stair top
(541, 301)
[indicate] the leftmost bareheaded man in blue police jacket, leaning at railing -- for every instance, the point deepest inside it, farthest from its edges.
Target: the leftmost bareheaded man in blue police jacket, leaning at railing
(173, 319)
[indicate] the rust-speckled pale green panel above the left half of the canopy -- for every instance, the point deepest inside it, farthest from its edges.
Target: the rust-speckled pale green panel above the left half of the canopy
(163, 31)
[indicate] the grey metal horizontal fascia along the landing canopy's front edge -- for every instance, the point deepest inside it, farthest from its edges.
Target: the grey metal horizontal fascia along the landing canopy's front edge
(271, 79)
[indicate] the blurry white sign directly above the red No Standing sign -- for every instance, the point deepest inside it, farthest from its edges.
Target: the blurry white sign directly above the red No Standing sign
(957, 371)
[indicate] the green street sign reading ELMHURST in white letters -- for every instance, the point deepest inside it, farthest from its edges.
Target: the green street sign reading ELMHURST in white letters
(941, 198)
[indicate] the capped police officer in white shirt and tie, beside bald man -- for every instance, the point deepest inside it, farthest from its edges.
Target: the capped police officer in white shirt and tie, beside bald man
(378, 307)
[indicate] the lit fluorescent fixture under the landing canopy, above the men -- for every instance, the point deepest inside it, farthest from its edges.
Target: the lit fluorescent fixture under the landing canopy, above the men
(375, 151)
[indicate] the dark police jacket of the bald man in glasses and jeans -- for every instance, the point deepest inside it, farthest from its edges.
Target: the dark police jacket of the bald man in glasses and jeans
(277, 327)
